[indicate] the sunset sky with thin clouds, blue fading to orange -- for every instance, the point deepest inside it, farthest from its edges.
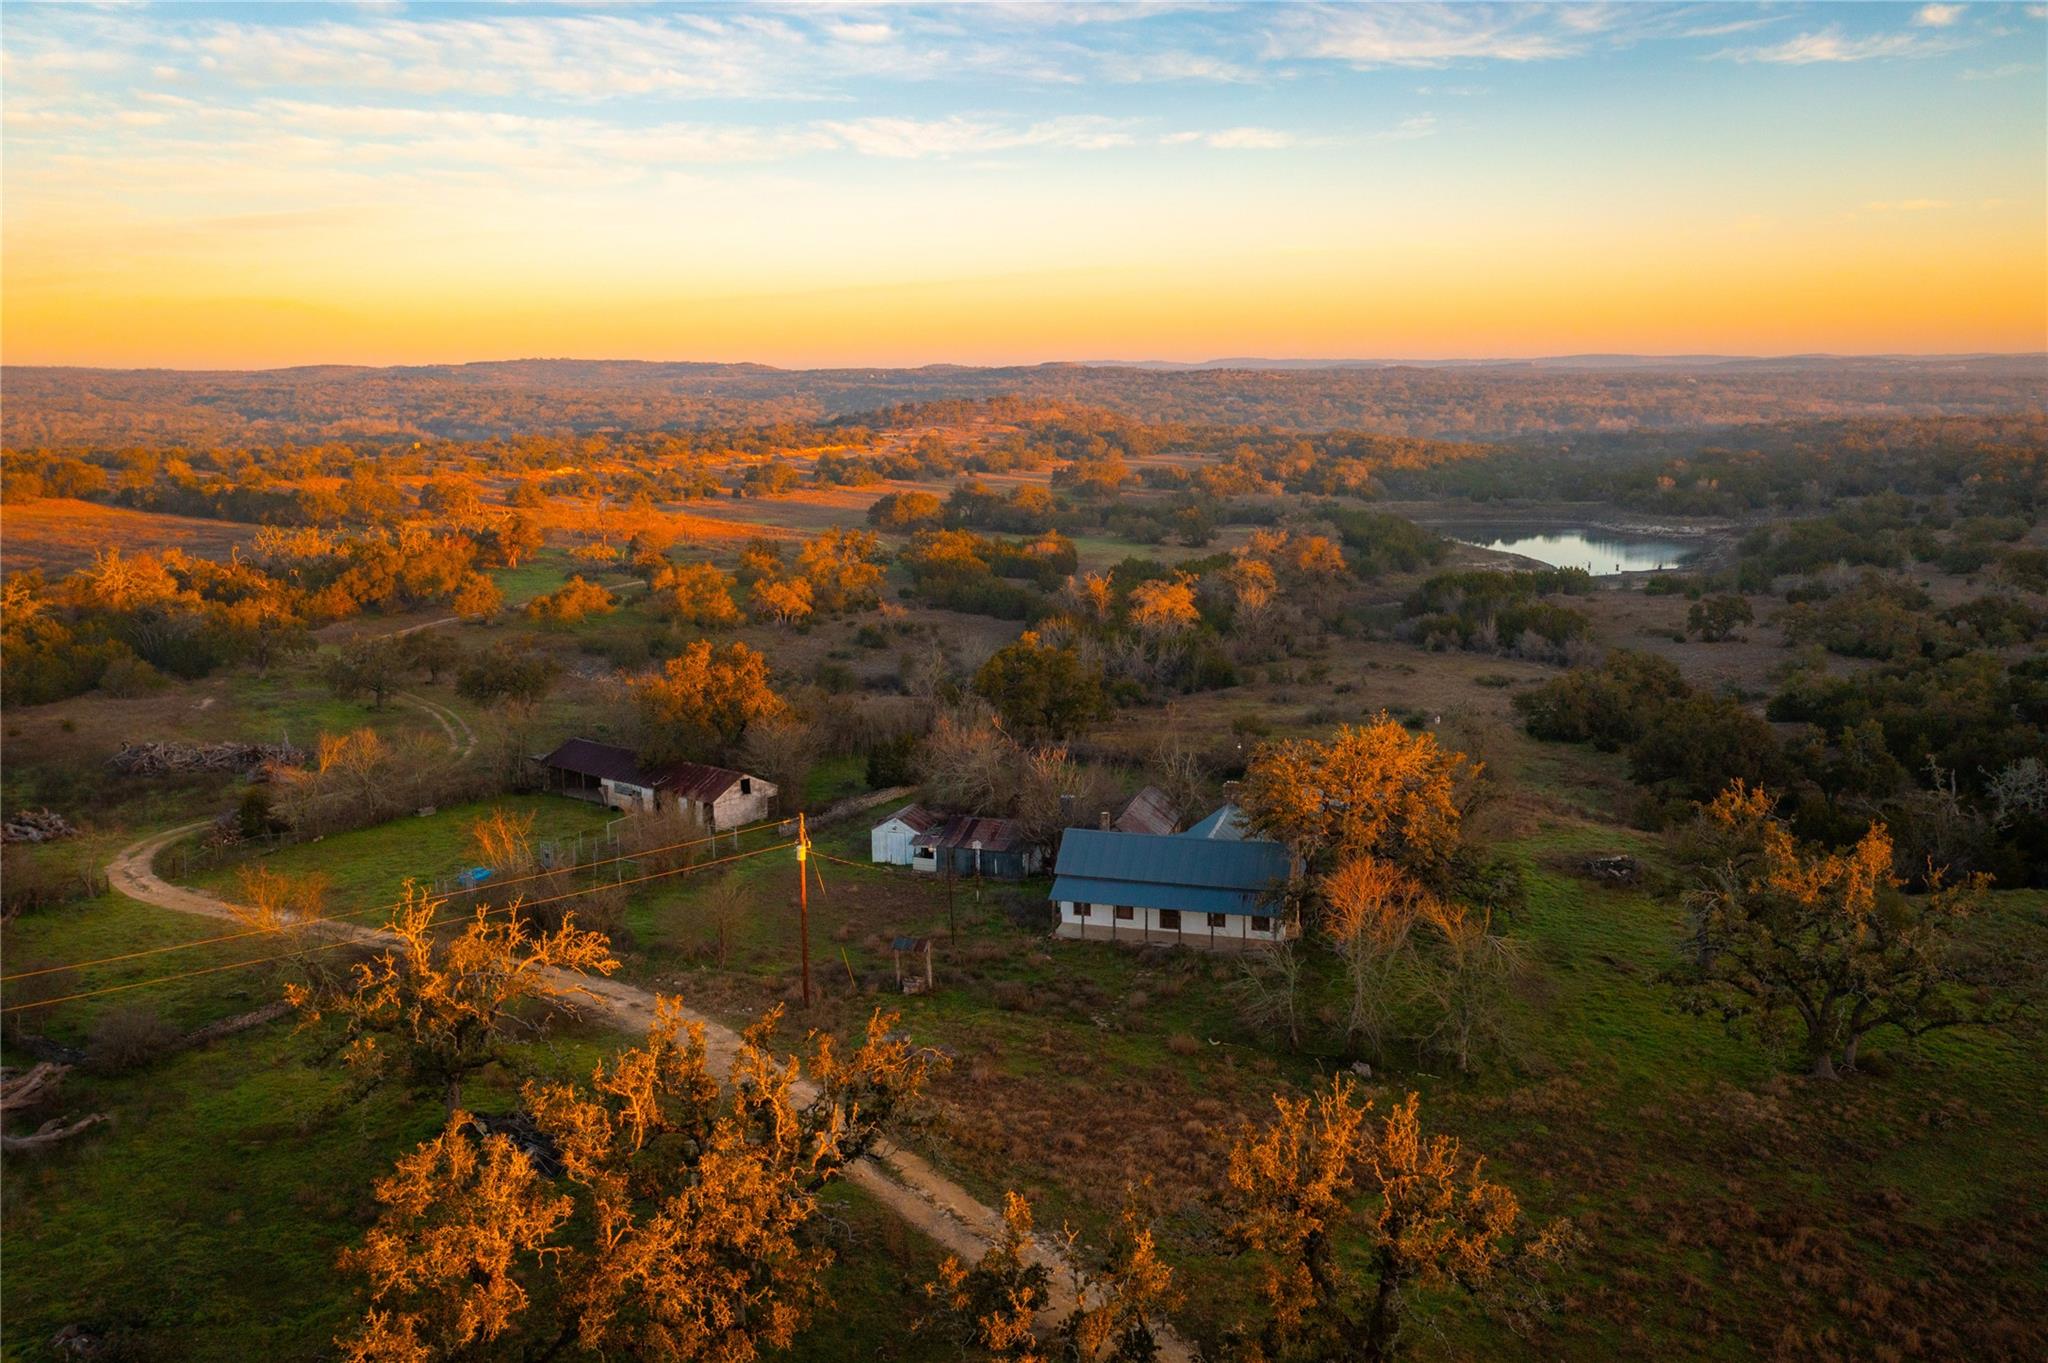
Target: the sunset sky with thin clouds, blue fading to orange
(249, 185)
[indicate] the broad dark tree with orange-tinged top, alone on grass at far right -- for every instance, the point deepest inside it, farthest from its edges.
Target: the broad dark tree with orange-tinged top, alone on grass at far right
(1787, 934)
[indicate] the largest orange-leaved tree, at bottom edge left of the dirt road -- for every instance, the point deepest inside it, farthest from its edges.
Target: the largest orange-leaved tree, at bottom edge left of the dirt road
(681, 1231)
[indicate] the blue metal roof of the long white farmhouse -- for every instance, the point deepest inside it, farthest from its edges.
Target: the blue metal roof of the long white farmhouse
(1168, 873)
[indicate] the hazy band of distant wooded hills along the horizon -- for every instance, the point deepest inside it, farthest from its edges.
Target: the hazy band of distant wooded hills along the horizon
(1486, 400)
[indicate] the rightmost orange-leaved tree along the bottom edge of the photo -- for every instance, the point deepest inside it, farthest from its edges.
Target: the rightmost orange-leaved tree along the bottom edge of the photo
(1322, 1178)
